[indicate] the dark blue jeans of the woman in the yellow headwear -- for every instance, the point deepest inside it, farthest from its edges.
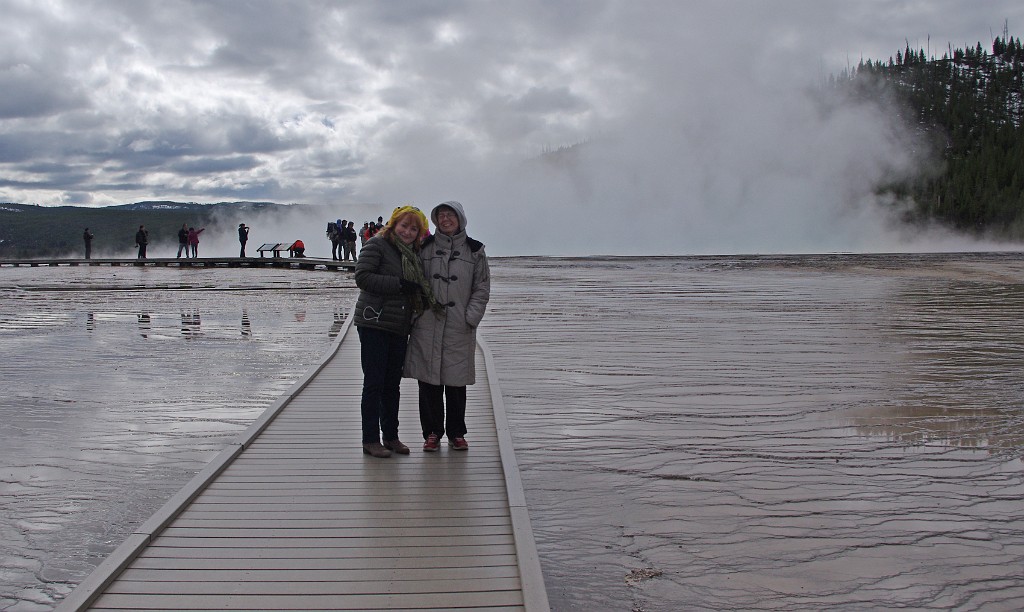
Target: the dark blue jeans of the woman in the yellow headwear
(382, 356)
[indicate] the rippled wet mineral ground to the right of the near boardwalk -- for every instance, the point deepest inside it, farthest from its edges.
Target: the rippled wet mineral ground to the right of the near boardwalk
(787, 433)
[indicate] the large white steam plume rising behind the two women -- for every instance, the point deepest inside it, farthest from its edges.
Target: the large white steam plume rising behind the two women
(705, 146)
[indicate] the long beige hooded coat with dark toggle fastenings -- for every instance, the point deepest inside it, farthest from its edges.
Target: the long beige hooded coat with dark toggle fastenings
(443, 346)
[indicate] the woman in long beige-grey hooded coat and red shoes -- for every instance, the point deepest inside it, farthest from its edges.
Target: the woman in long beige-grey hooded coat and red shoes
(443, 346)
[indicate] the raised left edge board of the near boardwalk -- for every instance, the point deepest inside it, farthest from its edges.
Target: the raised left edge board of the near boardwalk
(91, 589)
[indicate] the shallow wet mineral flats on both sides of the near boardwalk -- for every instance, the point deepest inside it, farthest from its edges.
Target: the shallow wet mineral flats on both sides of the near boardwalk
(795, 433)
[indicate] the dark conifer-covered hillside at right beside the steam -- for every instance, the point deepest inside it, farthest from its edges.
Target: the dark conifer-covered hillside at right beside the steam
(968, 104)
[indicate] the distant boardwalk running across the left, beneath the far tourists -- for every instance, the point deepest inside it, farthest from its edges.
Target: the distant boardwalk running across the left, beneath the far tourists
(306, 264)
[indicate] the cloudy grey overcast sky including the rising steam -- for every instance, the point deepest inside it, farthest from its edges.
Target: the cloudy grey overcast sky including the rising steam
(700, 132)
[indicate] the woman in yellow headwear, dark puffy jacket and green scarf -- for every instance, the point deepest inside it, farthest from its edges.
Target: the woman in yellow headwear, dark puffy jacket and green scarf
(392, 289)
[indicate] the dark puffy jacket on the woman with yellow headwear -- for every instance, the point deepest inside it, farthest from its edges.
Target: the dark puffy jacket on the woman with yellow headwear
(381, 304)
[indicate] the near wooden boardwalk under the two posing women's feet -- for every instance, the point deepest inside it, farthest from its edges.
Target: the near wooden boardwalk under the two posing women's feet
(294, 517)
